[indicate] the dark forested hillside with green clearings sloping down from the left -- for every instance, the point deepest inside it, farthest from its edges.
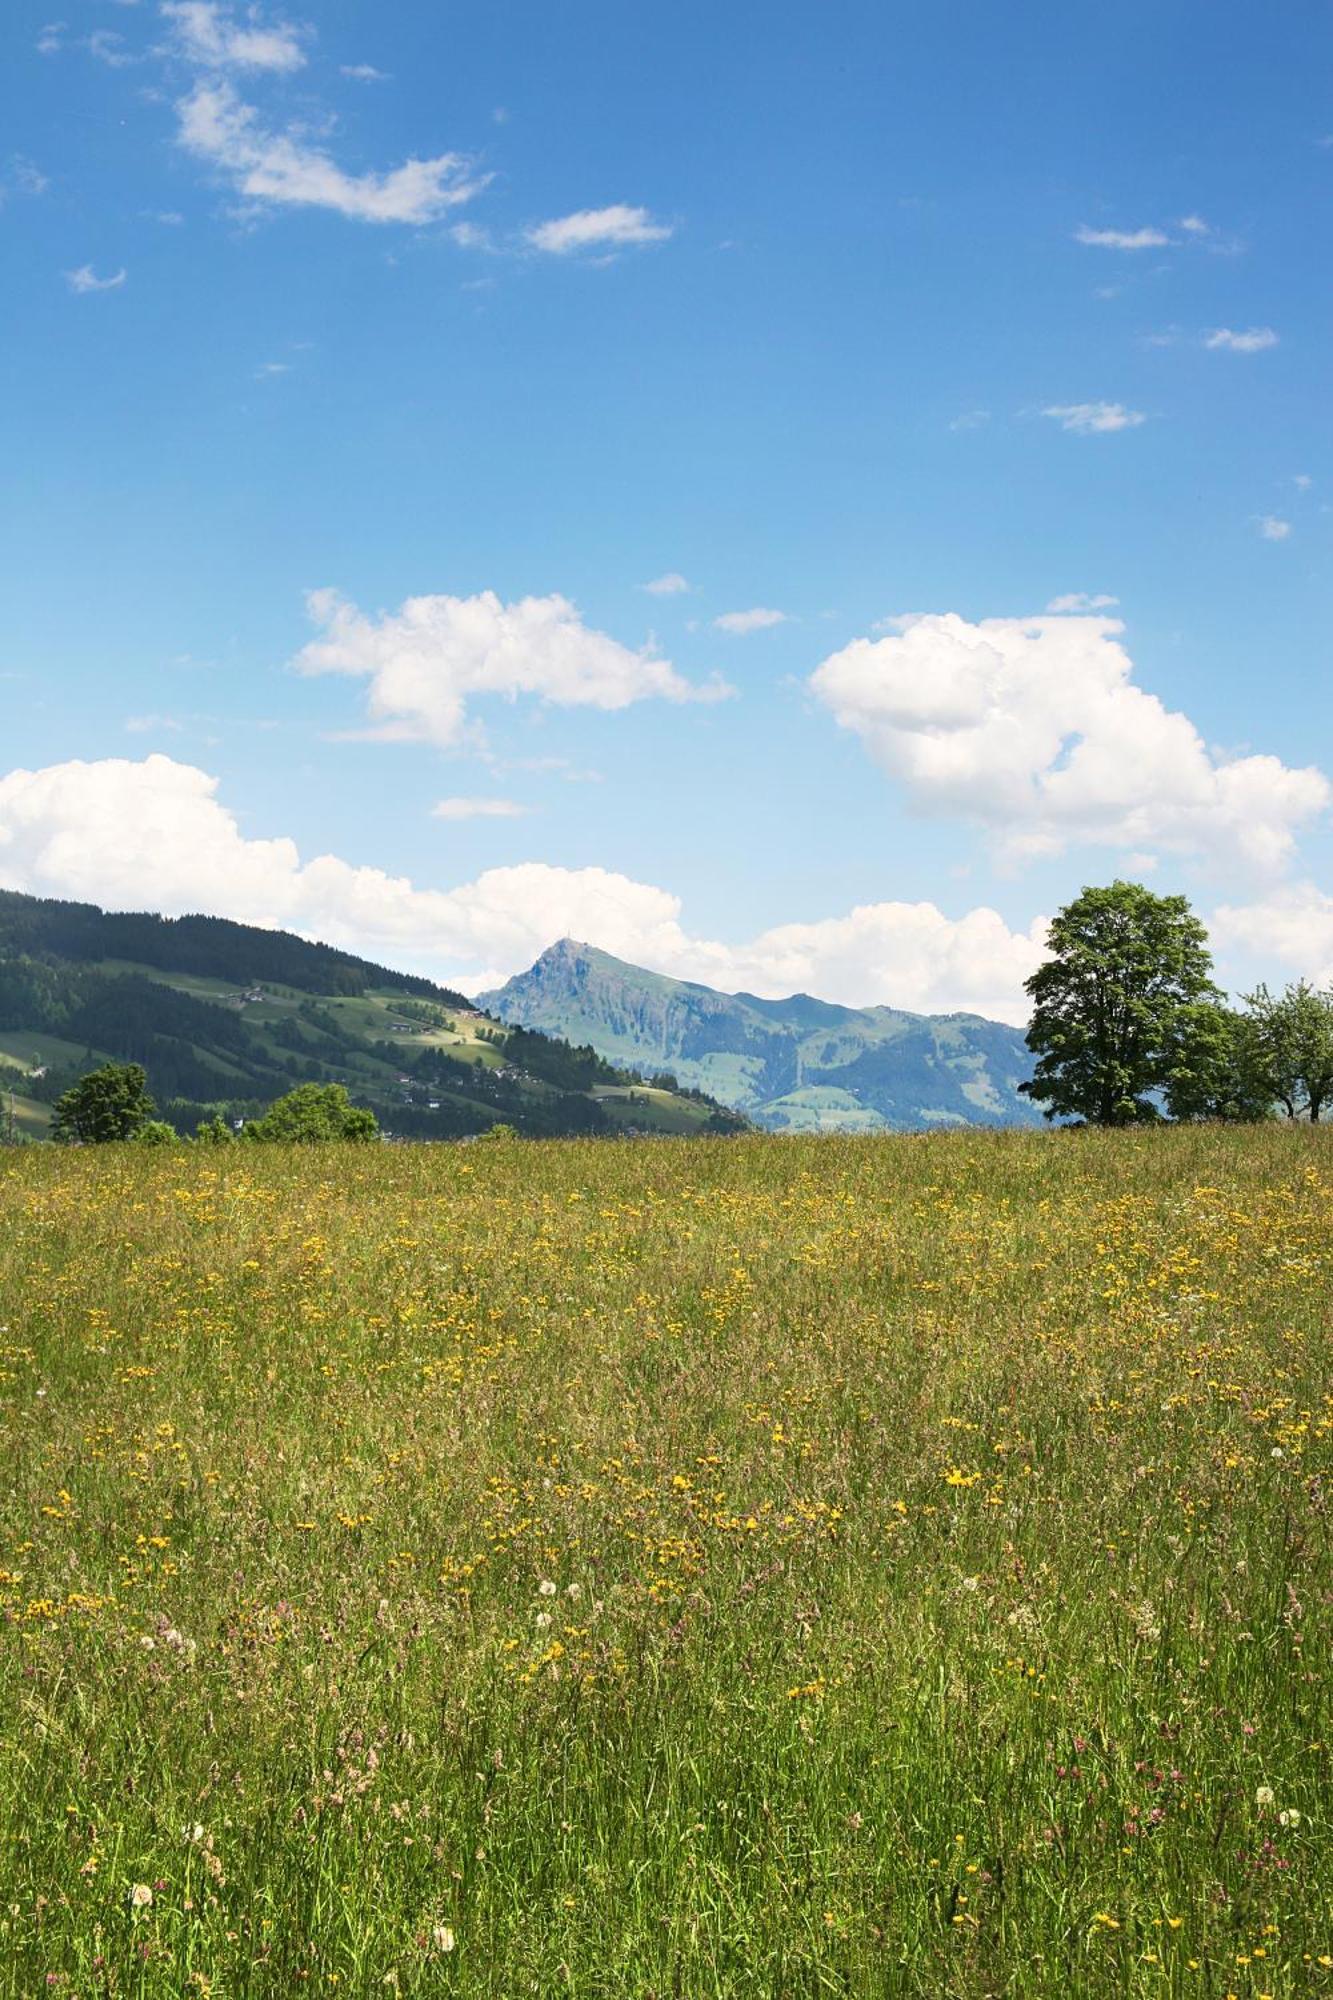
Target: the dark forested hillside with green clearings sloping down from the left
(227, 1017)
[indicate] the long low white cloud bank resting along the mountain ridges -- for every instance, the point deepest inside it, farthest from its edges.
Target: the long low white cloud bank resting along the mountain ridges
(155, 835)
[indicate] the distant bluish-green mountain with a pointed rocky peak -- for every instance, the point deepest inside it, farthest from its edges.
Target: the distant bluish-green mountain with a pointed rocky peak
(794, 1065)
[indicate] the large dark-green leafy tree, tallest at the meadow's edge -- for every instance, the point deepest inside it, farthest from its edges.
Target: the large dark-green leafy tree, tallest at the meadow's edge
(1114, 1001)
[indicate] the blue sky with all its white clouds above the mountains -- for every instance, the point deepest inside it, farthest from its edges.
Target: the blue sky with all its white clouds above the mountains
(479, 321)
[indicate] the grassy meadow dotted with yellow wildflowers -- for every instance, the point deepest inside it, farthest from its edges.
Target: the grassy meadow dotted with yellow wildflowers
(670, 1571)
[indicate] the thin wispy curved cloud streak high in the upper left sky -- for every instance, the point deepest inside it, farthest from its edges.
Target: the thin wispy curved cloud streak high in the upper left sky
(287, 169)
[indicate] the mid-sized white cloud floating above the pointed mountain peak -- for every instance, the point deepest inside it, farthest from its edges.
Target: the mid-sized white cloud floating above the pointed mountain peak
(427, 661)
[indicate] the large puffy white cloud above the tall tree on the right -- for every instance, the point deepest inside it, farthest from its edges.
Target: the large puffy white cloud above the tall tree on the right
(1036, 729)
